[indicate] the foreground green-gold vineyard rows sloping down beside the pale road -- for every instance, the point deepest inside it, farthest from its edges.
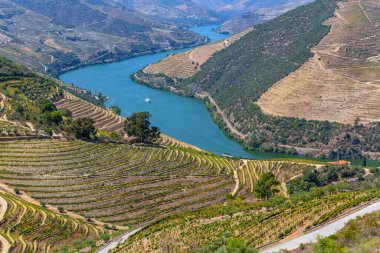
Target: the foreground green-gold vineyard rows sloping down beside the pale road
(256, 226)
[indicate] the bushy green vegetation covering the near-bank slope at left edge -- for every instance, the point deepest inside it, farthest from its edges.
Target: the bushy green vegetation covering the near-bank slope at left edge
(29, 96)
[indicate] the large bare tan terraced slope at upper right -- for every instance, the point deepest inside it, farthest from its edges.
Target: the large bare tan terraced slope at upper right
(342, 81)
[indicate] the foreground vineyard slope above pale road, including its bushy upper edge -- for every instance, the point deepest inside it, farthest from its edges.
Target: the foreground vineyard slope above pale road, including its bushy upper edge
(255, 224)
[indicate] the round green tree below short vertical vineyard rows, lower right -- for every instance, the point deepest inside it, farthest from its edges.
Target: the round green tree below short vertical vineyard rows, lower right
(264, 187)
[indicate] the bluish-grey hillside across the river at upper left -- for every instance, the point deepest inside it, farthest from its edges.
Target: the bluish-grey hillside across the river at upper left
(52, 36)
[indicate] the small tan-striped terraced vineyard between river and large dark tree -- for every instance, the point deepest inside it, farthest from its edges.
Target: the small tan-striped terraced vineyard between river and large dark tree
(104, 119)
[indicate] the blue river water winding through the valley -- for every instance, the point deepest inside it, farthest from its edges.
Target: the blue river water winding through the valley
(186, 119)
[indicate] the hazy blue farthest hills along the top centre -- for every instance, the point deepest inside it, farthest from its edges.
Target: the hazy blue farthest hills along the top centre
(198, 12)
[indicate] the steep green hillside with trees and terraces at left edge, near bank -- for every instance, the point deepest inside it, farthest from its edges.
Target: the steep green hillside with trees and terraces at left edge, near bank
(21, 91)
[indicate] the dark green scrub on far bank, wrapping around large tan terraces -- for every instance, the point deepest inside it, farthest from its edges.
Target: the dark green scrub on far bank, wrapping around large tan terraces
(237, 76)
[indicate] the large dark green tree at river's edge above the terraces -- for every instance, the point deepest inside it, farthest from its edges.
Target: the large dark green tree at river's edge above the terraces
(138, 125)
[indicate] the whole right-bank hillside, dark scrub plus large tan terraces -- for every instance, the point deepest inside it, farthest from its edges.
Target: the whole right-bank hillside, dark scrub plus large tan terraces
(234, 80)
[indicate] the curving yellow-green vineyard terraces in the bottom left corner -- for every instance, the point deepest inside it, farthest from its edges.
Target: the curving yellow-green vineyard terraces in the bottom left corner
(25, 227)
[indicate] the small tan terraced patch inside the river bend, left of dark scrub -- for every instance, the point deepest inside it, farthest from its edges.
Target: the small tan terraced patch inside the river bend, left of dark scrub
(184, 65)
